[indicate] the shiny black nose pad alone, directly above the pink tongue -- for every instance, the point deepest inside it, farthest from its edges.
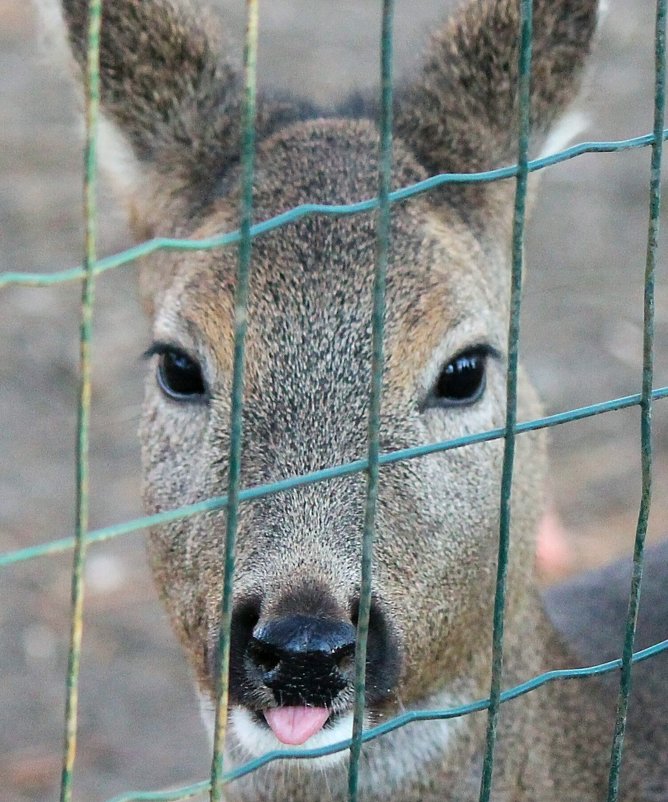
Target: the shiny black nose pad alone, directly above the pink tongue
(303, 659)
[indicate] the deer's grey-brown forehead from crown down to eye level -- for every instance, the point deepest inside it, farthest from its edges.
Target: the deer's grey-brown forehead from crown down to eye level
(312, 280)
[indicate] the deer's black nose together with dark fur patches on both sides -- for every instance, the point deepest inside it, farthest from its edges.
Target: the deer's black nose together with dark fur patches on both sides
(305, 653)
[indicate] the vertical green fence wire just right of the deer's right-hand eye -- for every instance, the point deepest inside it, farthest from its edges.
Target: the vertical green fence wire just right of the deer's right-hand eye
(526, 30)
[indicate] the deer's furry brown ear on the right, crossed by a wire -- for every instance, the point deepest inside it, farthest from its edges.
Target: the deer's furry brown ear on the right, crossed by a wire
(461, 113)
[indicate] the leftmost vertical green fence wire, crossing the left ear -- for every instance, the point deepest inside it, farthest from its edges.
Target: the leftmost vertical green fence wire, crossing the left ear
(92, 101)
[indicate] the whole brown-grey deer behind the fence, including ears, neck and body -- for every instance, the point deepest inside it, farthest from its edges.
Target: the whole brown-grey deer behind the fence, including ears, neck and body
(170, 138)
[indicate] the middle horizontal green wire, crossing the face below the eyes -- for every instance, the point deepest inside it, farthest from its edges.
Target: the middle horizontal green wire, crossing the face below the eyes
(259, 491)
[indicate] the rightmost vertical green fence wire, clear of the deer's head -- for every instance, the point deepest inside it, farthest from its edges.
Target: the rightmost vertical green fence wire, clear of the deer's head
(645, 402)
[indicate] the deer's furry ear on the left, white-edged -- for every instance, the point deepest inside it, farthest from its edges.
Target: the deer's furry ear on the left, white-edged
(170, 102)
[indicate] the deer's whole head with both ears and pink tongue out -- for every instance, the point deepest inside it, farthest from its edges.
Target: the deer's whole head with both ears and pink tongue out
(172, 103)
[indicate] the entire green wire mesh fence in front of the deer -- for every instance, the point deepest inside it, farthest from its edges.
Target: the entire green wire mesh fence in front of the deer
(92, 267)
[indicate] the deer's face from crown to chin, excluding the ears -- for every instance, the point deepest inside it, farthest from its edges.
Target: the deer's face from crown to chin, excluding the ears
(306, 408)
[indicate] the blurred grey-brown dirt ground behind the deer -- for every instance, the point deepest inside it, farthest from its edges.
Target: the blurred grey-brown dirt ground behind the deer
(582, 344)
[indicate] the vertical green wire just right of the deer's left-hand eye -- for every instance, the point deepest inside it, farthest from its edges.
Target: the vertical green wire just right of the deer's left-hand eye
(240, 326)
